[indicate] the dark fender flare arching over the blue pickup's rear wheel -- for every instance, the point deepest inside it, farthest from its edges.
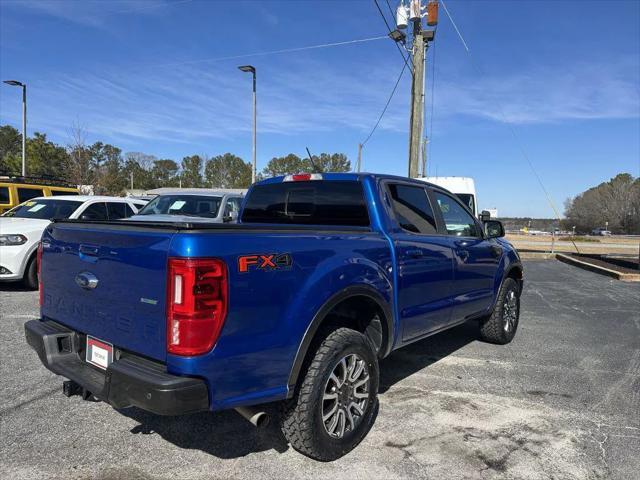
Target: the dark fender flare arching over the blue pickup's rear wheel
(318, 318)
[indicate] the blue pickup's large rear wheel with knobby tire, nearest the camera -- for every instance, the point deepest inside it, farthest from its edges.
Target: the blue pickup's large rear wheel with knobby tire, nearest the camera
(337, 401)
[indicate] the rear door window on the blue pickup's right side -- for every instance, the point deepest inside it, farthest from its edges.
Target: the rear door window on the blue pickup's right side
(412, 209)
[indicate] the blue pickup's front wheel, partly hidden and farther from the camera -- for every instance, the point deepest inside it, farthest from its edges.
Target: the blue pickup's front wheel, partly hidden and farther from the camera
(501, 326)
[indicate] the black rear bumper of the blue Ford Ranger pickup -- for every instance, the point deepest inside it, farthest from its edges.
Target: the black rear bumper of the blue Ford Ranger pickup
(129, 381)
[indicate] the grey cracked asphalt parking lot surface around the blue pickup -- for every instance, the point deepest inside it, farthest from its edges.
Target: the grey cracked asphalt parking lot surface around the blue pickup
(561, 401)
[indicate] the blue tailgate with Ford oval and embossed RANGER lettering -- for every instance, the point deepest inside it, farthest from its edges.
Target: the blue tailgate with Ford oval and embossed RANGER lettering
(126, 306)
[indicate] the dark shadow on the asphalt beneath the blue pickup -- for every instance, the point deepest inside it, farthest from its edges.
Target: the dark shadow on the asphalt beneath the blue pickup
(227, 435)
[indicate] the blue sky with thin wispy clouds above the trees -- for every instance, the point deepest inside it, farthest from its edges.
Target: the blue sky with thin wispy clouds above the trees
(147, 76)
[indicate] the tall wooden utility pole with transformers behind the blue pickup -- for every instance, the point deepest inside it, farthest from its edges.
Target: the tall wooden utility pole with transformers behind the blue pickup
(421, 40)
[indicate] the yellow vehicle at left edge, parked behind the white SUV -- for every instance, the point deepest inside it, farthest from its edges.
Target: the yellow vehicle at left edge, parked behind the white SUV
(15, 190)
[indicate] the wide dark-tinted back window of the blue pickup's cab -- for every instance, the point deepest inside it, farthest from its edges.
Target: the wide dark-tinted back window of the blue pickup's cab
(339, 203)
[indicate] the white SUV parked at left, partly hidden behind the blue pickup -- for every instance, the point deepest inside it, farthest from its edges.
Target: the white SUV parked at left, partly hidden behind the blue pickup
(22, 226)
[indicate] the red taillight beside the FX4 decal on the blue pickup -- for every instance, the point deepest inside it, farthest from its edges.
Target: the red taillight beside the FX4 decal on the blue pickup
(196, 304)
